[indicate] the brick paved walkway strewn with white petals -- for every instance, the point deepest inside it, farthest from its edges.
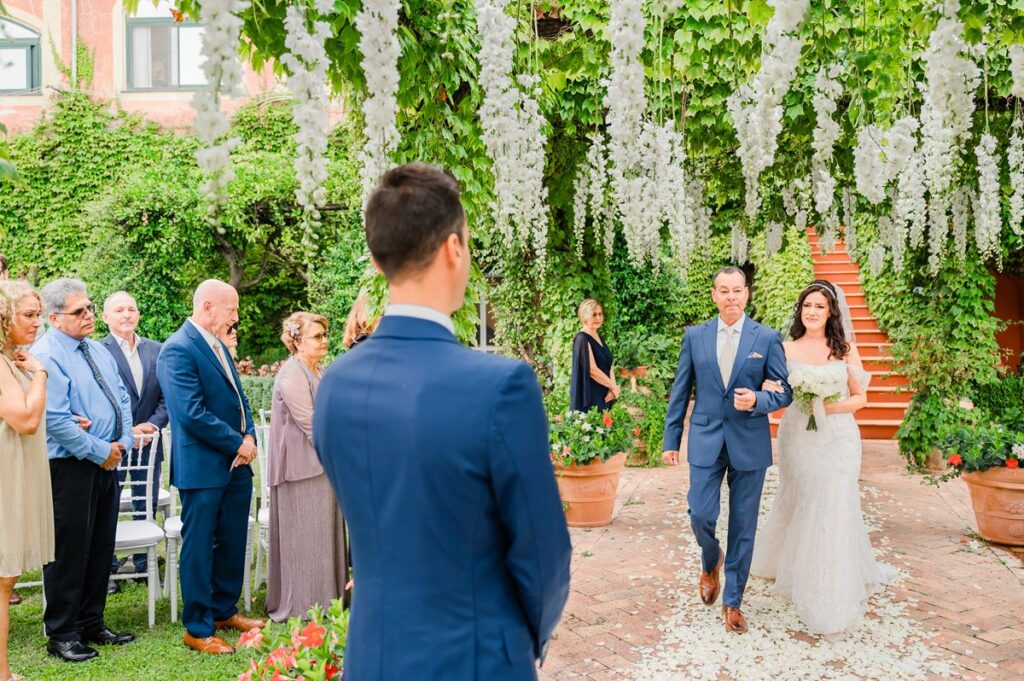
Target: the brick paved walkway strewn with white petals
(633, 611)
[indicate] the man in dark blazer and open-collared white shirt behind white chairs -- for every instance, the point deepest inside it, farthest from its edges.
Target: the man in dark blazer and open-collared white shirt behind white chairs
(137, 360)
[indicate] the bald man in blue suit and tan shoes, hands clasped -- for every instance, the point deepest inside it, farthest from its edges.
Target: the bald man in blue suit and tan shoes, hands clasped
(214, 441)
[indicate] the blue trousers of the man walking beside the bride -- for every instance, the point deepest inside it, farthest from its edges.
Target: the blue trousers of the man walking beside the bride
(745, 501)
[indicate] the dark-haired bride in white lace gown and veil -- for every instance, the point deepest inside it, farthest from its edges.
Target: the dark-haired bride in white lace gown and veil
(814, 543)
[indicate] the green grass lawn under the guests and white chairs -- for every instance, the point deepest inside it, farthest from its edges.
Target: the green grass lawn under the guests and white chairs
(158, 654)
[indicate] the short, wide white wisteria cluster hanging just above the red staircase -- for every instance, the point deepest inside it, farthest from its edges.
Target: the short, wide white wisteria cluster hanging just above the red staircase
(880, 156)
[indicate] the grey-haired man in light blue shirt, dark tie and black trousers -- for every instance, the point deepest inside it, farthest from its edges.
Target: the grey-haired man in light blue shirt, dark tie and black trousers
(82, 381)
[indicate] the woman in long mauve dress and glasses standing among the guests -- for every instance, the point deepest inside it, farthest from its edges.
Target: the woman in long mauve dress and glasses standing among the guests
(308, 565)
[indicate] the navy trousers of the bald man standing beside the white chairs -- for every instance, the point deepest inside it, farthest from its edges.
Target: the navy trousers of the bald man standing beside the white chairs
(215, 531)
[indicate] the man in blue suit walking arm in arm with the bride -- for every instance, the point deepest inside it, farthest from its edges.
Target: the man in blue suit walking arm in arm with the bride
(729, 358)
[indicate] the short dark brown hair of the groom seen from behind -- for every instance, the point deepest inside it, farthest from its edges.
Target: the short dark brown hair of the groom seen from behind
(410, 215)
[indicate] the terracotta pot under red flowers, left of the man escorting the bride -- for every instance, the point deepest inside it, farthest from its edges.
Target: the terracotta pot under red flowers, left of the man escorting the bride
(589, 492)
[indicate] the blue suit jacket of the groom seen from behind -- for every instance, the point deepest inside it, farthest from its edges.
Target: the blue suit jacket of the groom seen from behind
(440, 458)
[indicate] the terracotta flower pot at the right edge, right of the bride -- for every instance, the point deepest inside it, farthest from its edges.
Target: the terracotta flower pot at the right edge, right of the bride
(998, 497)
